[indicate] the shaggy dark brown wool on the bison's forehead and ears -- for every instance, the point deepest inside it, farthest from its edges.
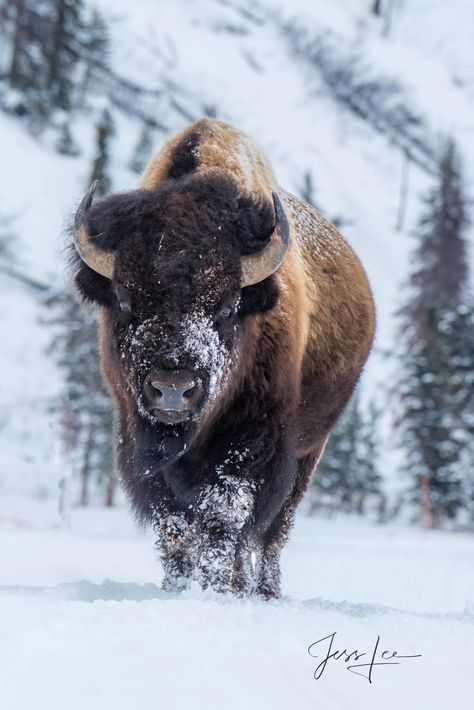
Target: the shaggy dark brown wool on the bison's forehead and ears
(204, 218)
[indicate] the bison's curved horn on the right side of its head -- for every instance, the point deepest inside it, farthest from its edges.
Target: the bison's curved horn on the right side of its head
(257, 267)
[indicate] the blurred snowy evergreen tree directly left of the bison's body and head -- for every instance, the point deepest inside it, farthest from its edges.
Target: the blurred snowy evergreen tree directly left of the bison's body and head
(85, 405)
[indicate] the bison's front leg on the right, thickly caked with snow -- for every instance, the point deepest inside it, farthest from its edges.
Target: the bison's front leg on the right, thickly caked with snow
(225, 508)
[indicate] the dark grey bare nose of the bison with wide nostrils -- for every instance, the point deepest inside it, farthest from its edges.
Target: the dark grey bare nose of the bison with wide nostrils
(172, 392)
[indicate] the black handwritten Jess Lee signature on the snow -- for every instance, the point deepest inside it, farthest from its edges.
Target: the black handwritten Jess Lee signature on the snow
(364, 669)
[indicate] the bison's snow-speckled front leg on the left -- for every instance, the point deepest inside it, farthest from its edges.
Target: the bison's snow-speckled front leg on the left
(177, 545)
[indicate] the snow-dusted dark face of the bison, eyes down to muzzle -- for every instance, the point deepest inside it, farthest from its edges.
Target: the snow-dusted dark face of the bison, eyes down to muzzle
(177, 347)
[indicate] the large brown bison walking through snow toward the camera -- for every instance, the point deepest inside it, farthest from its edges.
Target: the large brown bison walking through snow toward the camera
(234, 323)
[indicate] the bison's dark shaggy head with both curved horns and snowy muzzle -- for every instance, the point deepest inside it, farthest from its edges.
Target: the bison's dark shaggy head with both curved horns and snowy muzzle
(179, 271)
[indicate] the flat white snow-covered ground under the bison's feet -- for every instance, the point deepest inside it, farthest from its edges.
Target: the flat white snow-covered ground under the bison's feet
(84, 623)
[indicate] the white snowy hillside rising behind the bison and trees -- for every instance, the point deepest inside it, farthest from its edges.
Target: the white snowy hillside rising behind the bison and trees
(237, 61)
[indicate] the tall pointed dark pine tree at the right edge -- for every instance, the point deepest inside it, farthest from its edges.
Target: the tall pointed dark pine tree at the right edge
(437, 325)
